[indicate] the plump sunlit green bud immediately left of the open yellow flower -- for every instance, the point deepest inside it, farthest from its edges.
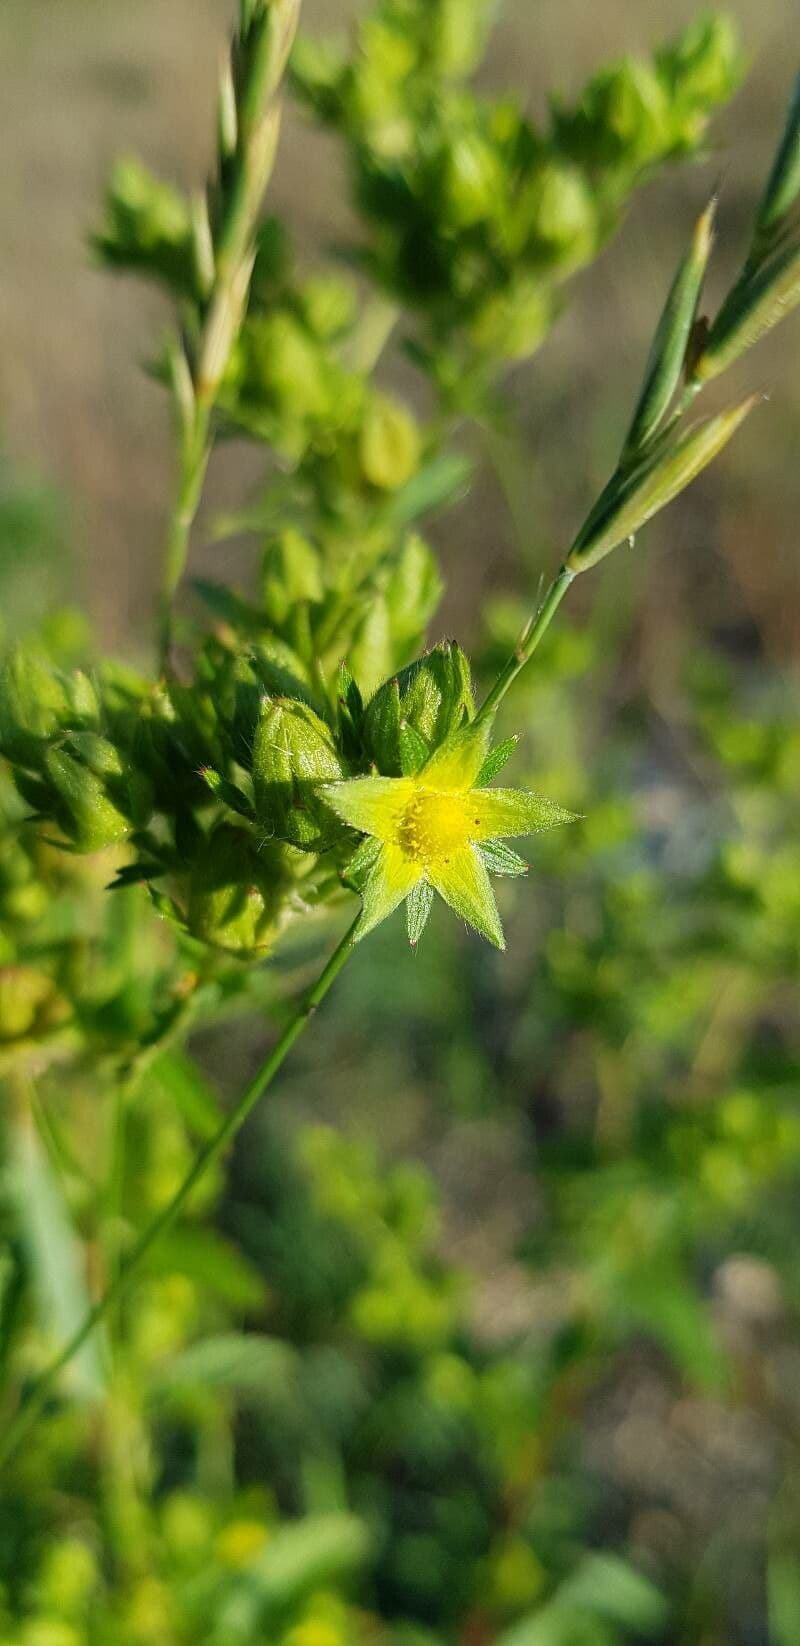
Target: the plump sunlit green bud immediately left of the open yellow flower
(294, 755)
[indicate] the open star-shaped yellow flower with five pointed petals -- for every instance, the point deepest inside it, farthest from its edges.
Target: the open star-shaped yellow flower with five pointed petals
(439, 832)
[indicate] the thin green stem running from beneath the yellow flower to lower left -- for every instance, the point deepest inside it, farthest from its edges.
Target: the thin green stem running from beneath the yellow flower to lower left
(39, 1395)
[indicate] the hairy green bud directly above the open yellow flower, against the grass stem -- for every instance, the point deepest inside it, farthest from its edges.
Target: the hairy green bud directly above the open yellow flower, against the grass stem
(417, 710)
